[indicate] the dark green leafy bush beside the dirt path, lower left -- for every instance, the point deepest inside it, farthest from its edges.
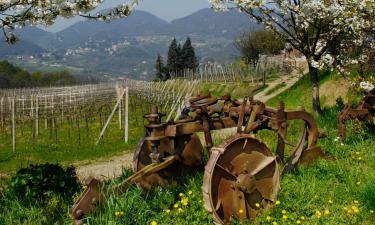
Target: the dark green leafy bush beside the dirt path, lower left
(38, 183)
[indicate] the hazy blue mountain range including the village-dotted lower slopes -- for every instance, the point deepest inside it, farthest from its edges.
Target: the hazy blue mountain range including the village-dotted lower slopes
(128, 47)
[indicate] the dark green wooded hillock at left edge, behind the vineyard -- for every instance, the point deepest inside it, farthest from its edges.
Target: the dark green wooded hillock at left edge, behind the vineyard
(14, 77)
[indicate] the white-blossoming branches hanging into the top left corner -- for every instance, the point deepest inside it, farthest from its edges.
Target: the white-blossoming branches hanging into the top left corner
(19, 13)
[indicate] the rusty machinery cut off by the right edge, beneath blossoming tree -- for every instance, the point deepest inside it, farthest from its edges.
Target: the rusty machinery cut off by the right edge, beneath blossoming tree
(364, 112)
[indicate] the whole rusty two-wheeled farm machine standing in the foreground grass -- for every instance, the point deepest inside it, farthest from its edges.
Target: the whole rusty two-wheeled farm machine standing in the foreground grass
(241, 172)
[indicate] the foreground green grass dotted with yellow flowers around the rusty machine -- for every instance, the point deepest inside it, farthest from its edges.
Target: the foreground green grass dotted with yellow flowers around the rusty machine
(339, 191)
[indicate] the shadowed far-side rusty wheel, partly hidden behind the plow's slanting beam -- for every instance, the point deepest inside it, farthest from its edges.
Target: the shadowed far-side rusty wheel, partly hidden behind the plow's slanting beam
(189, 149)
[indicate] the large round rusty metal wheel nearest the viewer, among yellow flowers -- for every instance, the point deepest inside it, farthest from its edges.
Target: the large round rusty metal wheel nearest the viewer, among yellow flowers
(241, 177)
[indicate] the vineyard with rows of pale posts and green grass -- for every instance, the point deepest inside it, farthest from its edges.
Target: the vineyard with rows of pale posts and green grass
(69, 124)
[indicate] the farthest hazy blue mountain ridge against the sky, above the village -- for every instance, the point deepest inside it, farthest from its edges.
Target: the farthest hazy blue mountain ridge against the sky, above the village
(204, 22)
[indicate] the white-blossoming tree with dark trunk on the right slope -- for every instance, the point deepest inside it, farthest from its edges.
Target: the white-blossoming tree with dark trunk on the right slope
(323, 31)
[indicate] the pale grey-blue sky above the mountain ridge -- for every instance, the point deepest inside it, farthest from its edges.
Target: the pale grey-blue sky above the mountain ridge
(165, 9)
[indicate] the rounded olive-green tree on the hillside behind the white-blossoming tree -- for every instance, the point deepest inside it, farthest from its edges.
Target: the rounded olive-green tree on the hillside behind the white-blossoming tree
(253, 44)
